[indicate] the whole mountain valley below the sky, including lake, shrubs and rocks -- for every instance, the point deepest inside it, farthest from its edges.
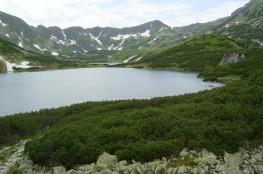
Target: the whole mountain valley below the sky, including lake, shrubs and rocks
(148, 99)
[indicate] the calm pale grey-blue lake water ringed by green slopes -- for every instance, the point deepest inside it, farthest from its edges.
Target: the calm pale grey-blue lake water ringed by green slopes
(30, 91)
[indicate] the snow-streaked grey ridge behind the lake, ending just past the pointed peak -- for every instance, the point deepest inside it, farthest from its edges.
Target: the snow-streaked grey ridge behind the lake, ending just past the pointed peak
(77, 39)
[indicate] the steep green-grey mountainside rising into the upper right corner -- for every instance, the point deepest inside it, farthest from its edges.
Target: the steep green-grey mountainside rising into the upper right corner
(245, 23)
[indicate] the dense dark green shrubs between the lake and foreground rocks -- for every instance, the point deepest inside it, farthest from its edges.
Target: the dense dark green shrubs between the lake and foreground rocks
(220, 120)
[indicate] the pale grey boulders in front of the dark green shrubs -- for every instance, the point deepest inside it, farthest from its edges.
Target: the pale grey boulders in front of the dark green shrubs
(188, 162)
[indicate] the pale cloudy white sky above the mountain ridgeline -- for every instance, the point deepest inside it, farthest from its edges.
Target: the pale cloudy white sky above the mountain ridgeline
(118, 13)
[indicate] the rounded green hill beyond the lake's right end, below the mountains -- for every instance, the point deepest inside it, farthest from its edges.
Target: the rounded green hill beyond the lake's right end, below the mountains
(197, 54)
